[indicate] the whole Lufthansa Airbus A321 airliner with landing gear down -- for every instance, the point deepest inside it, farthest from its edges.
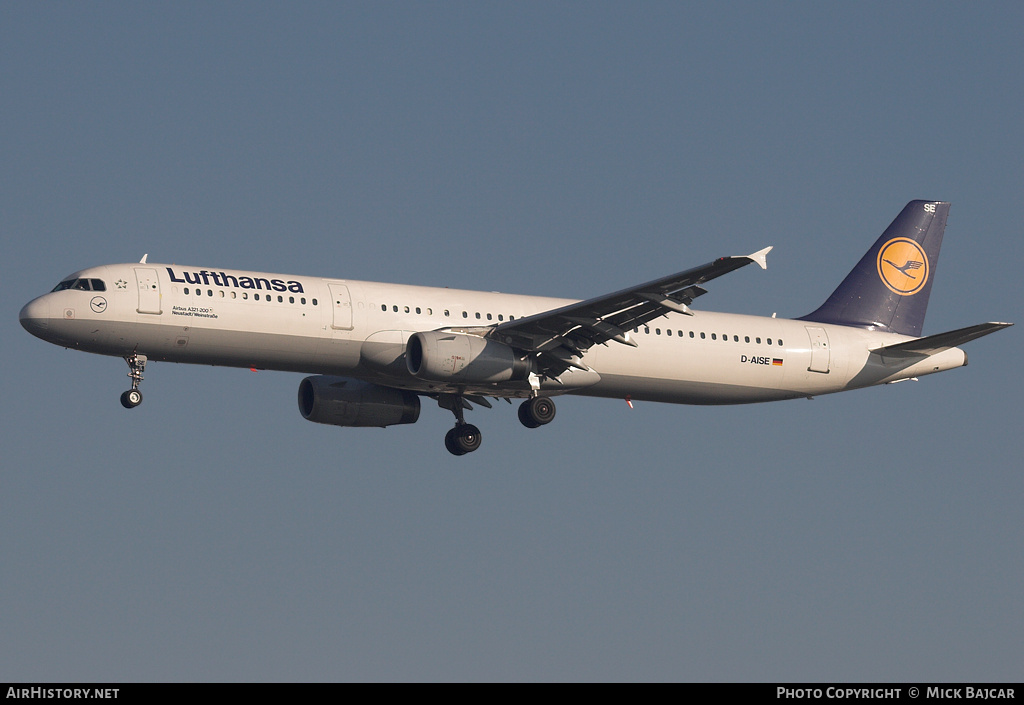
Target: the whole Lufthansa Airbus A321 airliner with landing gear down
(376, 350)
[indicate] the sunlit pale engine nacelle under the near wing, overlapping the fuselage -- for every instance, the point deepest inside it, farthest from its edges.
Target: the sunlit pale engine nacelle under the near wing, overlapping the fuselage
(460, 358)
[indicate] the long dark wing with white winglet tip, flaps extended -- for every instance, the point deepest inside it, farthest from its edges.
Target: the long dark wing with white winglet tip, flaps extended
(561, 337)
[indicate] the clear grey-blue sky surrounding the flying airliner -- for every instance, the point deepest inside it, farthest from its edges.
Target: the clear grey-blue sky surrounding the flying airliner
(559, 149)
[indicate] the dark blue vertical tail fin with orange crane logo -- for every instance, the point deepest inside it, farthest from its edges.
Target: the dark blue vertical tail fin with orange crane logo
(889, 287)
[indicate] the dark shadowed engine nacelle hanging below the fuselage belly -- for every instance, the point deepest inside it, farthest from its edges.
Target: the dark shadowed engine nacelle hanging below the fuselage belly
(346, 402)
